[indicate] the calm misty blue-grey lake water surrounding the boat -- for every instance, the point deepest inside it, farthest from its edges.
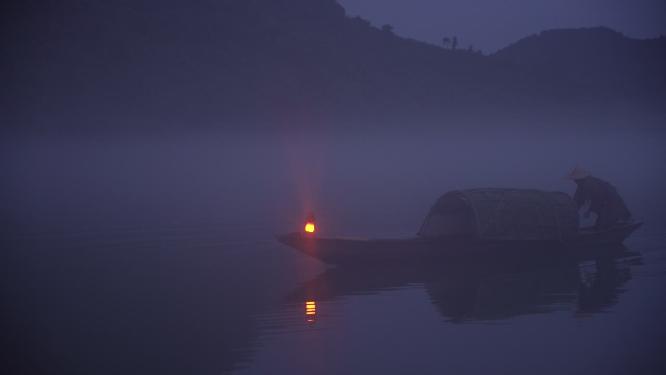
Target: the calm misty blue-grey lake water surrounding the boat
(156, 254)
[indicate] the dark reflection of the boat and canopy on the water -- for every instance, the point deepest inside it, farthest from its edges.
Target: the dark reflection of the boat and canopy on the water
(462, 293)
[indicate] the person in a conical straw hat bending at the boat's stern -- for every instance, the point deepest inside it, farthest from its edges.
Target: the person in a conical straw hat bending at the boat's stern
(602, 197)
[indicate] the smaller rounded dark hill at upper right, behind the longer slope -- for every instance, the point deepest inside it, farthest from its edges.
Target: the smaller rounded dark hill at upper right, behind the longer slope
(596, 63)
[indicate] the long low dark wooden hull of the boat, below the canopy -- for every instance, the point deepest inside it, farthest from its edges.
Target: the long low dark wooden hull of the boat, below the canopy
(342, 251)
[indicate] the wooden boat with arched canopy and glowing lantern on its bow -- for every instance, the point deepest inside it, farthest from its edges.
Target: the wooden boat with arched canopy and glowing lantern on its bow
(476, 225)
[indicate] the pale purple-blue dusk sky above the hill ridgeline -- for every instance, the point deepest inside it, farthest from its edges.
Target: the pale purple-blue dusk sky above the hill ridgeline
(492, 24)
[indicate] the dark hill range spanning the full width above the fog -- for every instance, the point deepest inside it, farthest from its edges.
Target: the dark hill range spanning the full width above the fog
(205, 62)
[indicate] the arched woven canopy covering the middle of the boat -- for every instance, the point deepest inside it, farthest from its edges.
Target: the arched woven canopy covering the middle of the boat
(502, 215)
